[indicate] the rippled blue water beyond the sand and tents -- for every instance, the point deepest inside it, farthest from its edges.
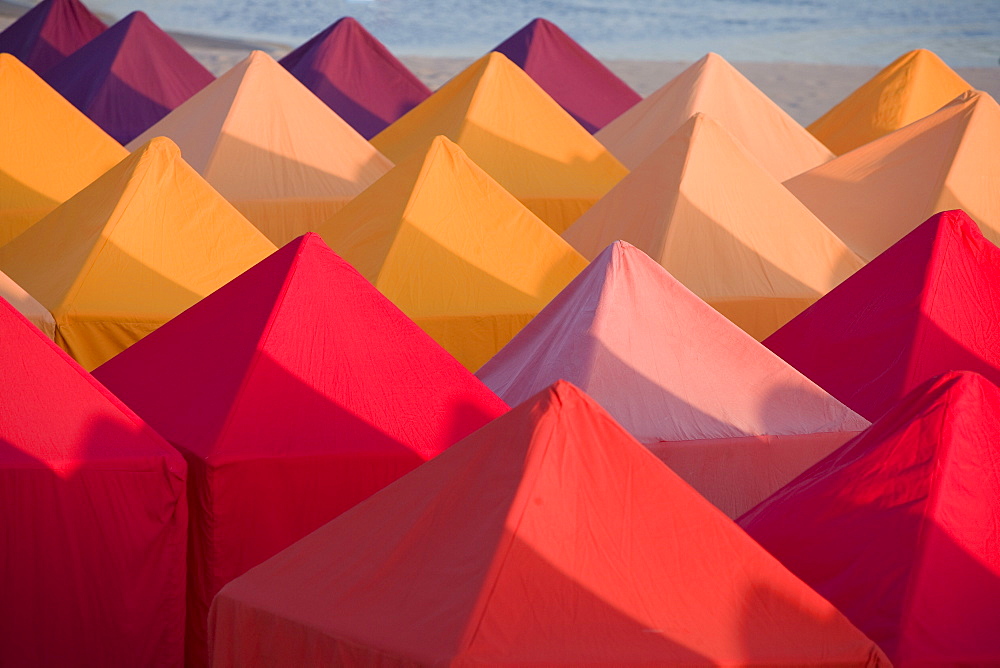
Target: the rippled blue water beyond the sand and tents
(966, 33)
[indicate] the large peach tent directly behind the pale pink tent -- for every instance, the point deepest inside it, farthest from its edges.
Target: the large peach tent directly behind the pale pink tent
(701, 206)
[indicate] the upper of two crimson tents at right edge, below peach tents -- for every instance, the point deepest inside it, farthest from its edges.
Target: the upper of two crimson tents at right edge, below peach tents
(928, 305)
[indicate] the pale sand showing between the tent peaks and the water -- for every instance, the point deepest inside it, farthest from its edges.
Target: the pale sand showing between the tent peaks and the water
(805, 91)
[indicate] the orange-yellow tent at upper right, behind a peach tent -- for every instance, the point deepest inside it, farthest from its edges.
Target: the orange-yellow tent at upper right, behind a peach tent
(914, 85)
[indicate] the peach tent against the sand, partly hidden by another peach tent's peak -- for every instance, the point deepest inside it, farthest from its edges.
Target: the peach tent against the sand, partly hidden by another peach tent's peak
(714, 87)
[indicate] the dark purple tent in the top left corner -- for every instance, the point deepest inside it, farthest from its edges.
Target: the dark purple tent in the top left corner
(48, 32)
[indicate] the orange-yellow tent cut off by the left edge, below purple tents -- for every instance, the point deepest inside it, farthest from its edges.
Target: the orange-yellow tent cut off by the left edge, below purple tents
(48, 152)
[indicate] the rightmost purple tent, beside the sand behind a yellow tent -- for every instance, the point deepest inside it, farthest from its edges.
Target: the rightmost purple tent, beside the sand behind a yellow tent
(579, 82)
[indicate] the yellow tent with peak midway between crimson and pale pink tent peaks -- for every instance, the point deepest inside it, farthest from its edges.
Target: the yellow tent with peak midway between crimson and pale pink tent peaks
(454, 251)
